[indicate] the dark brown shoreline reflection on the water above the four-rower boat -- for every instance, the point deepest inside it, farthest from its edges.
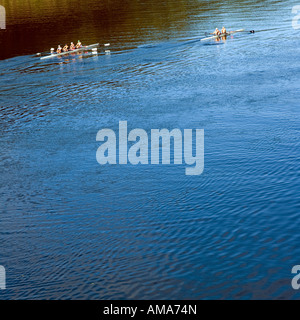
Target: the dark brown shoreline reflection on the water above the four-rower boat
(34, 26)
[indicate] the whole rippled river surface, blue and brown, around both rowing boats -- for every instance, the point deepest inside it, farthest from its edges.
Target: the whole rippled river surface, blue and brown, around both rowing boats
(72, 229)
